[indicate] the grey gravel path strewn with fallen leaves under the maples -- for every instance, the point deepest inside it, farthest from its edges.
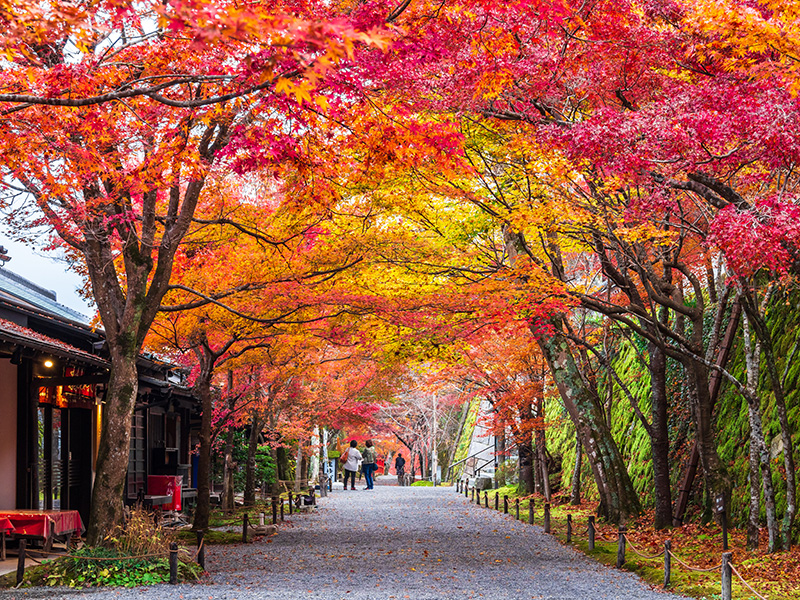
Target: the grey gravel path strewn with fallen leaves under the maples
(394, 543)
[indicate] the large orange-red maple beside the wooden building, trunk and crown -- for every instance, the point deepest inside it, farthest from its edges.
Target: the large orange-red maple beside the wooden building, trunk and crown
(115, 117)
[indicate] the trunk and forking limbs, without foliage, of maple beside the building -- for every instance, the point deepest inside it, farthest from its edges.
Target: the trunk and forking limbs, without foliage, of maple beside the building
(128, 304)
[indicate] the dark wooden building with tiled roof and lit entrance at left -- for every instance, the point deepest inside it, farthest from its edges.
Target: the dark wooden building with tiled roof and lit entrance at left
(52, 385)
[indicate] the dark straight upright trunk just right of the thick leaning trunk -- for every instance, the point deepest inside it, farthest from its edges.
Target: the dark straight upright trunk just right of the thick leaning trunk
(659, 437)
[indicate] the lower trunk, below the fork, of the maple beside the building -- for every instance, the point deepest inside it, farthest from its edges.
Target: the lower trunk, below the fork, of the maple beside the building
(114, 448)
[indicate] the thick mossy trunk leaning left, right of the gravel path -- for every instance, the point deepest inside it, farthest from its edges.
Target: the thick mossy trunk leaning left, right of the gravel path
(619, 500)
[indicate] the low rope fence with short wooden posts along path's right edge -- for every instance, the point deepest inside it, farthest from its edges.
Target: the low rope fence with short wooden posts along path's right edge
(725, 568)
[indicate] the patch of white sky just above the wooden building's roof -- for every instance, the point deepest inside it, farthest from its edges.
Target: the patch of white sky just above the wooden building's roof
(48, 271)
